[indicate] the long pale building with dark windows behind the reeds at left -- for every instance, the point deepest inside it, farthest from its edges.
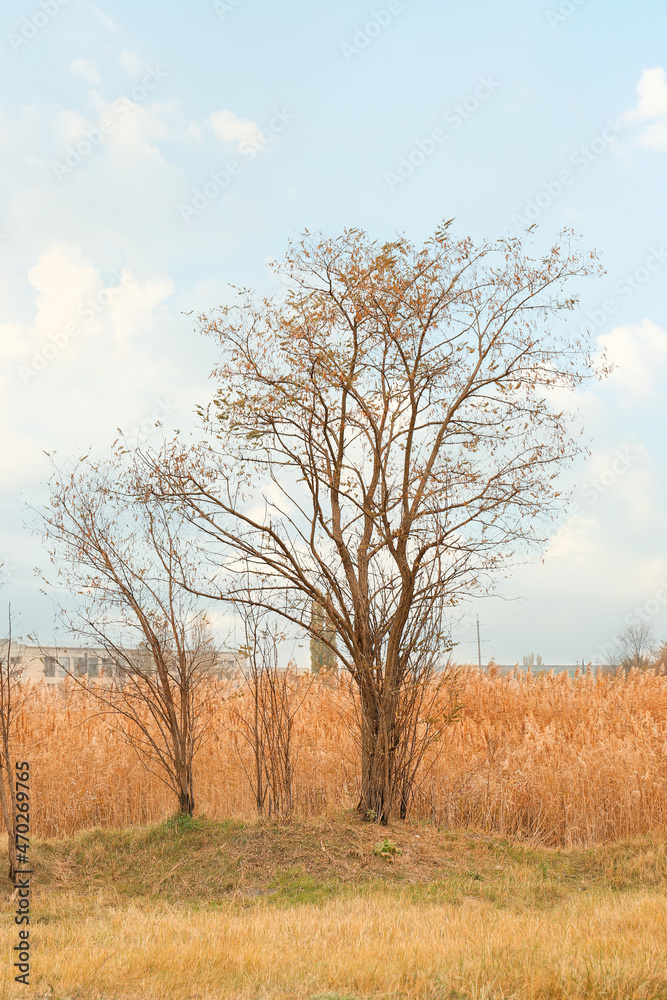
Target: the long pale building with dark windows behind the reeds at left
(53, 664)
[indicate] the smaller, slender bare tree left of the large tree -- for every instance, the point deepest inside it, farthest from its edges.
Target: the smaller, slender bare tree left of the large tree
(123, 559)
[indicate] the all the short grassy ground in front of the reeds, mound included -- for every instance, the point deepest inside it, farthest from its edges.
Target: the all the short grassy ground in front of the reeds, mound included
(326, 909)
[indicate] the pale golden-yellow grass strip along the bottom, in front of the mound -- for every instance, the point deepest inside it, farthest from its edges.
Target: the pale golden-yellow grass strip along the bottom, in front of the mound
(375, 945)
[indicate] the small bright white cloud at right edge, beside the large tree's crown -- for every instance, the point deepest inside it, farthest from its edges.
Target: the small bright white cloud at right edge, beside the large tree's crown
(638, 351)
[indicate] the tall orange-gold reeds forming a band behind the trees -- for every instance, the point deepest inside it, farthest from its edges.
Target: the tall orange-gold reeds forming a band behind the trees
(552, 759)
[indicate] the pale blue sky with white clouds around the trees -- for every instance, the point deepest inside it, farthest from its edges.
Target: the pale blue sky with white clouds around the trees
(154, 154)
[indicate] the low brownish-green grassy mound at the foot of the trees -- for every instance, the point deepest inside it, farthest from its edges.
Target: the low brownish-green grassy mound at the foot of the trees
(201, 862)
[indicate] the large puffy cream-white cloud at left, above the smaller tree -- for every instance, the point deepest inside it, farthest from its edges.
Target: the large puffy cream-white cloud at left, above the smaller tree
(68, 390)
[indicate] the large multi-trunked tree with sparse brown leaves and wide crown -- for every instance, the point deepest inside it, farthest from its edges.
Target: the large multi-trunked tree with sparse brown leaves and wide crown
(385, 436)
